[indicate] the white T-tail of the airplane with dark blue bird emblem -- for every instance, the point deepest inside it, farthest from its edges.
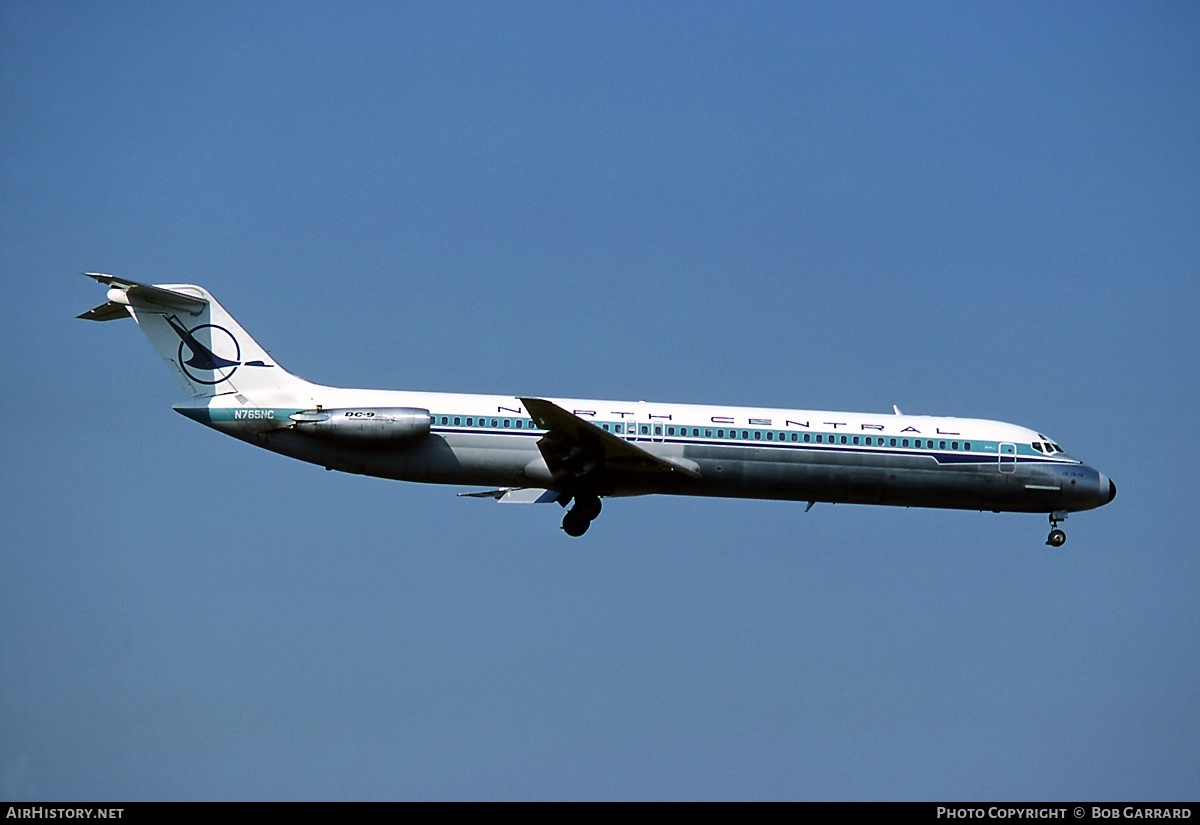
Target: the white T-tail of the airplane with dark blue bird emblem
(205, 347)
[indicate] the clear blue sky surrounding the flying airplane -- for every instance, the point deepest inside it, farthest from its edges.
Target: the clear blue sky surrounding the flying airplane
(989, 210)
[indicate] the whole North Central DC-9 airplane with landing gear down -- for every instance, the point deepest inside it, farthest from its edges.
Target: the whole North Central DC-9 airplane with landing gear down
(575, 453)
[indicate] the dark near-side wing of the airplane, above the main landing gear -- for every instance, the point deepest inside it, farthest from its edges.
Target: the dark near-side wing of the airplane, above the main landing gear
(574, 448)
